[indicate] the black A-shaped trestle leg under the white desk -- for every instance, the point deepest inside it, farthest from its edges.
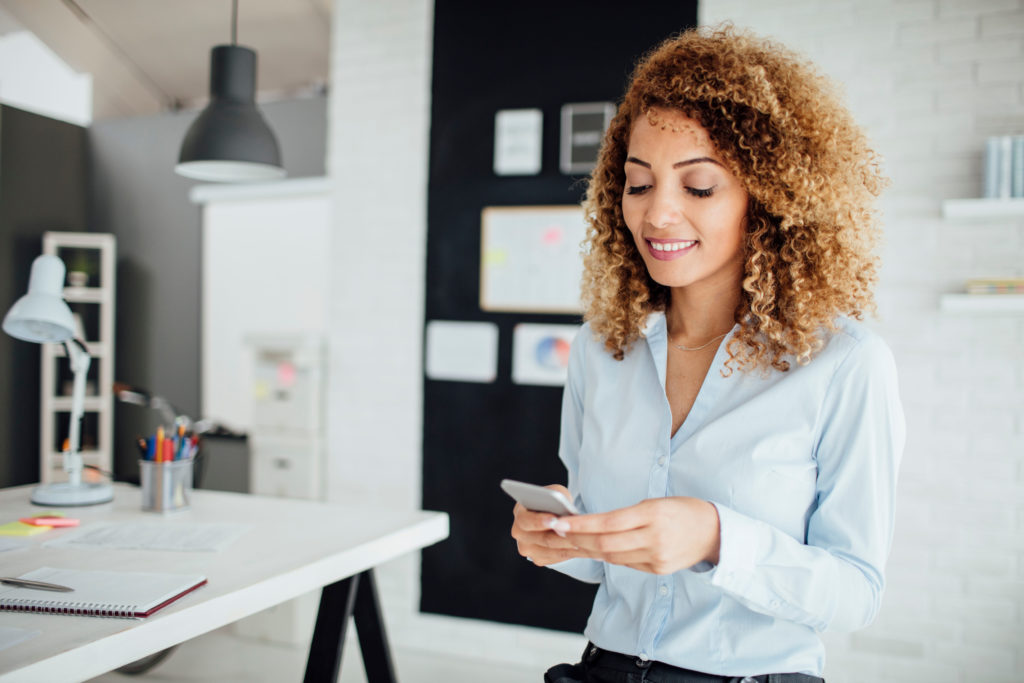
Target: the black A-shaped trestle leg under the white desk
(357, 597)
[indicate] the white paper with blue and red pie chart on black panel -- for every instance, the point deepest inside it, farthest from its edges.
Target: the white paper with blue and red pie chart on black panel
(541, 354)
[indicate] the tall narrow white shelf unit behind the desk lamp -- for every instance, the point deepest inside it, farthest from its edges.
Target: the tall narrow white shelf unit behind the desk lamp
(90, 291)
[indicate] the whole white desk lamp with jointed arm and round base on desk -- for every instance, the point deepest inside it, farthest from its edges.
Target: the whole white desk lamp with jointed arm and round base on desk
(42, 317)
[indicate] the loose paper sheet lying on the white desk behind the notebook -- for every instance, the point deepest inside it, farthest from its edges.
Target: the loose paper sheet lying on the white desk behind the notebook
(155, 536)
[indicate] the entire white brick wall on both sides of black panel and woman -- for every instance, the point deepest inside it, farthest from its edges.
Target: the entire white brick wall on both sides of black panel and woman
(929, 79)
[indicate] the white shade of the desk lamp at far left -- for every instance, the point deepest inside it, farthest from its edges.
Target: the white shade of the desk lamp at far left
(41, 316)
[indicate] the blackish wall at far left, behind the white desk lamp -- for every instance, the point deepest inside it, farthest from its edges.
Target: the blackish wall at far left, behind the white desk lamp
(44, 188)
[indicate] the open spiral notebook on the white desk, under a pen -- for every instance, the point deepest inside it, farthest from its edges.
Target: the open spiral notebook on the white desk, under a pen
(121, 594)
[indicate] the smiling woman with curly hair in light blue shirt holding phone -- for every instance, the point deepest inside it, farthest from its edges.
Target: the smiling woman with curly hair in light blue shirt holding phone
(732, 433)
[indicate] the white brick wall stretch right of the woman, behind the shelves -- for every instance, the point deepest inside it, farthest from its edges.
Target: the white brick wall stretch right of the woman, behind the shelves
(942, 77)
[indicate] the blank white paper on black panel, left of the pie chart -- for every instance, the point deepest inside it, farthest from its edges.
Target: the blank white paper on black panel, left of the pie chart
(462, 352)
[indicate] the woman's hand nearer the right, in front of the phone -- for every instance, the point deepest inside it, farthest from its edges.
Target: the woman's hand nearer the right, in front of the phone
(659, 535)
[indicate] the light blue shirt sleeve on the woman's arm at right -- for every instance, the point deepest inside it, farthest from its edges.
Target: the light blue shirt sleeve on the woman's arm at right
(836, 579)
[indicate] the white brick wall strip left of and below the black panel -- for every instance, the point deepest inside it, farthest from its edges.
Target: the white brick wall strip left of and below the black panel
(377, 159)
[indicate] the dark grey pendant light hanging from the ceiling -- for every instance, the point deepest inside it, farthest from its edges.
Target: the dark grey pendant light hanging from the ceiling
(231, 142)
